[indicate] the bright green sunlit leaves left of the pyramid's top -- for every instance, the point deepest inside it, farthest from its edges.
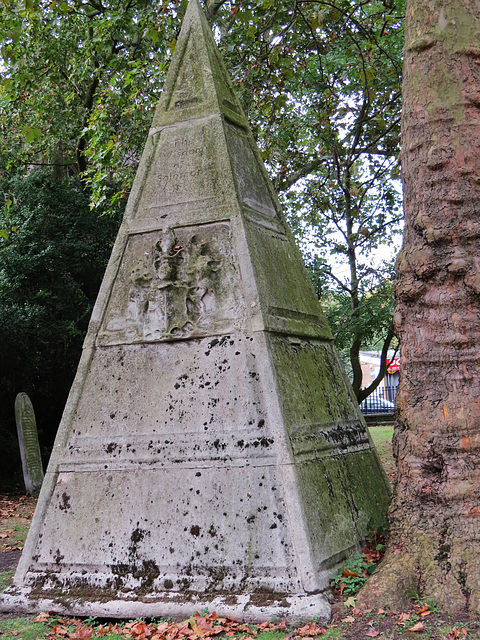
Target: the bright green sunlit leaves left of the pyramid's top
(79, 85)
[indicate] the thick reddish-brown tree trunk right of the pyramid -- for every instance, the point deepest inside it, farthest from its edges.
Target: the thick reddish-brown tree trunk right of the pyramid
(434, 547)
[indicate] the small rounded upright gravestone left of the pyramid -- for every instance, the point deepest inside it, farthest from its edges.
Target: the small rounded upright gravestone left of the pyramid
(28, 442)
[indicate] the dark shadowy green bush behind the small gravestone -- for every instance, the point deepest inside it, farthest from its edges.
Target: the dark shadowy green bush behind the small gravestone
(51, 265)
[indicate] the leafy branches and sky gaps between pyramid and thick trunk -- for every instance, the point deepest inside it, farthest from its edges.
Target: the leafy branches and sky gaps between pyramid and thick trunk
(321, 83)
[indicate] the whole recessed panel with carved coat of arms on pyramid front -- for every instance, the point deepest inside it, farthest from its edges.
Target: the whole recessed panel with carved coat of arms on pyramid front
(174, 284)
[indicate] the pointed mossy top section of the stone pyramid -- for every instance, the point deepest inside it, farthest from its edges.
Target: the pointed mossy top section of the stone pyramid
(197, 84)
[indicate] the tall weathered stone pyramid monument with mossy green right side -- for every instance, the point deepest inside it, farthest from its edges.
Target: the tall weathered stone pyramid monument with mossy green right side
(211, 453)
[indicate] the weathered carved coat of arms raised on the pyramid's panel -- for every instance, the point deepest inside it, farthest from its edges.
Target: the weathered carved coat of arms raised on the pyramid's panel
(171, 290)
